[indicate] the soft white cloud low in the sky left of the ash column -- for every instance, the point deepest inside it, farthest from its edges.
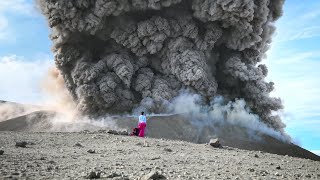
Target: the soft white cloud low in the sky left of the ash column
(20, 78)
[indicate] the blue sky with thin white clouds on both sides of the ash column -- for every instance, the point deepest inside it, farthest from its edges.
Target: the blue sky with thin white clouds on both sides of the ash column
(293, 62)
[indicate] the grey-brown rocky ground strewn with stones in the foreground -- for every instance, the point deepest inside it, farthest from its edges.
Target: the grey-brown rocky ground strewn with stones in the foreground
(99, 154)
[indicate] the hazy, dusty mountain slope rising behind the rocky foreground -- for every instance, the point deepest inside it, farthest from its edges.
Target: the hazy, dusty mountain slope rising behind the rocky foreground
(175, 127)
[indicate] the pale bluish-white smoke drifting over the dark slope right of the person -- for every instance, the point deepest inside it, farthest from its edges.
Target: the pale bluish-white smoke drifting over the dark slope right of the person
(221, 113)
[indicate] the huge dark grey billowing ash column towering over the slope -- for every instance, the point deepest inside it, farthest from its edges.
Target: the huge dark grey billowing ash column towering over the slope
(116, 55)
